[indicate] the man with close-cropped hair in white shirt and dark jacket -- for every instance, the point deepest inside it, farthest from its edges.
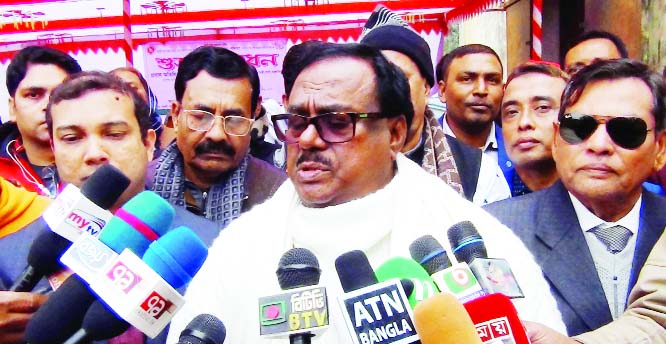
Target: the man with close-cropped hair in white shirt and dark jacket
(470, 83)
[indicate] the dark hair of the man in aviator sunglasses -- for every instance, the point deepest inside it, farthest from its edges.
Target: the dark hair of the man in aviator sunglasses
(614, 70)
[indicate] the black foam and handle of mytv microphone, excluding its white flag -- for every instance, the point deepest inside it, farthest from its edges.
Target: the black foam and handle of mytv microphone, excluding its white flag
(45, 251)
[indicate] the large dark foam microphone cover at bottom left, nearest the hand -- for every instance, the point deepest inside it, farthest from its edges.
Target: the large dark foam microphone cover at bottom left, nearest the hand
(61, 315)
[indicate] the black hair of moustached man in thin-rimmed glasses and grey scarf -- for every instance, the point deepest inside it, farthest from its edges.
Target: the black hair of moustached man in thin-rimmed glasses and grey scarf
(218, 62)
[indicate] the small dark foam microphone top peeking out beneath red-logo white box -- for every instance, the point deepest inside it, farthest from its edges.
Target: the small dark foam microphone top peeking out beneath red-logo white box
(102, 323)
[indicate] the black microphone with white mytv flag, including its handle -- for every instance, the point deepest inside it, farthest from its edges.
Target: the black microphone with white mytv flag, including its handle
(47, 248)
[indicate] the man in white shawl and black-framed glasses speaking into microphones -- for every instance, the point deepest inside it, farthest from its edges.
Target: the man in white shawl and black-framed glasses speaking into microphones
(349, 188)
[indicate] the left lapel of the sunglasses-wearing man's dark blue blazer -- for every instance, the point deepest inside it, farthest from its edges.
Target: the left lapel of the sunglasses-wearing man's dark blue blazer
(566, 259)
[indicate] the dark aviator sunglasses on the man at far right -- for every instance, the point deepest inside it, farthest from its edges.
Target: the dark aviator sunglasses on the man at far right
(626, 132)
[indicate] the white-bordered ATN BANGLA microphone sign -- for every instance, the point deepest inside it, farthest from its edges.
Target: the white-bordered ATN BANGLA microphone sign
(379, 313)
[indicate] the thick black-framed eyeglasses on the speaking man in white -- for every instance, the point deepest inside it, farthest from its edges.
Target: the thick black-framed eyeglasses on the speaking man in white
(332, 127)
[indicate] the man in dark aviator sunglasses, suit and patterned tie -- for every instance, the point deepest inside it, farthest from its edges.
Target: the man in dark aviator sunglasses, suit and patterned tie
(591, 232)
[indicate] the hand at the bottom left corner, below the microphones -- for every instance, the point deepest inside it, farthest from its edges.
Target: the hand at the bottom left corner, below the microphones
(16, 309)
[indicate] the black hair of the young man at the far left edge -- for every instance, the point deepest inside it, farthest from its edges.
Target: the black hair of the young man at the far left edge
(27, 56)
